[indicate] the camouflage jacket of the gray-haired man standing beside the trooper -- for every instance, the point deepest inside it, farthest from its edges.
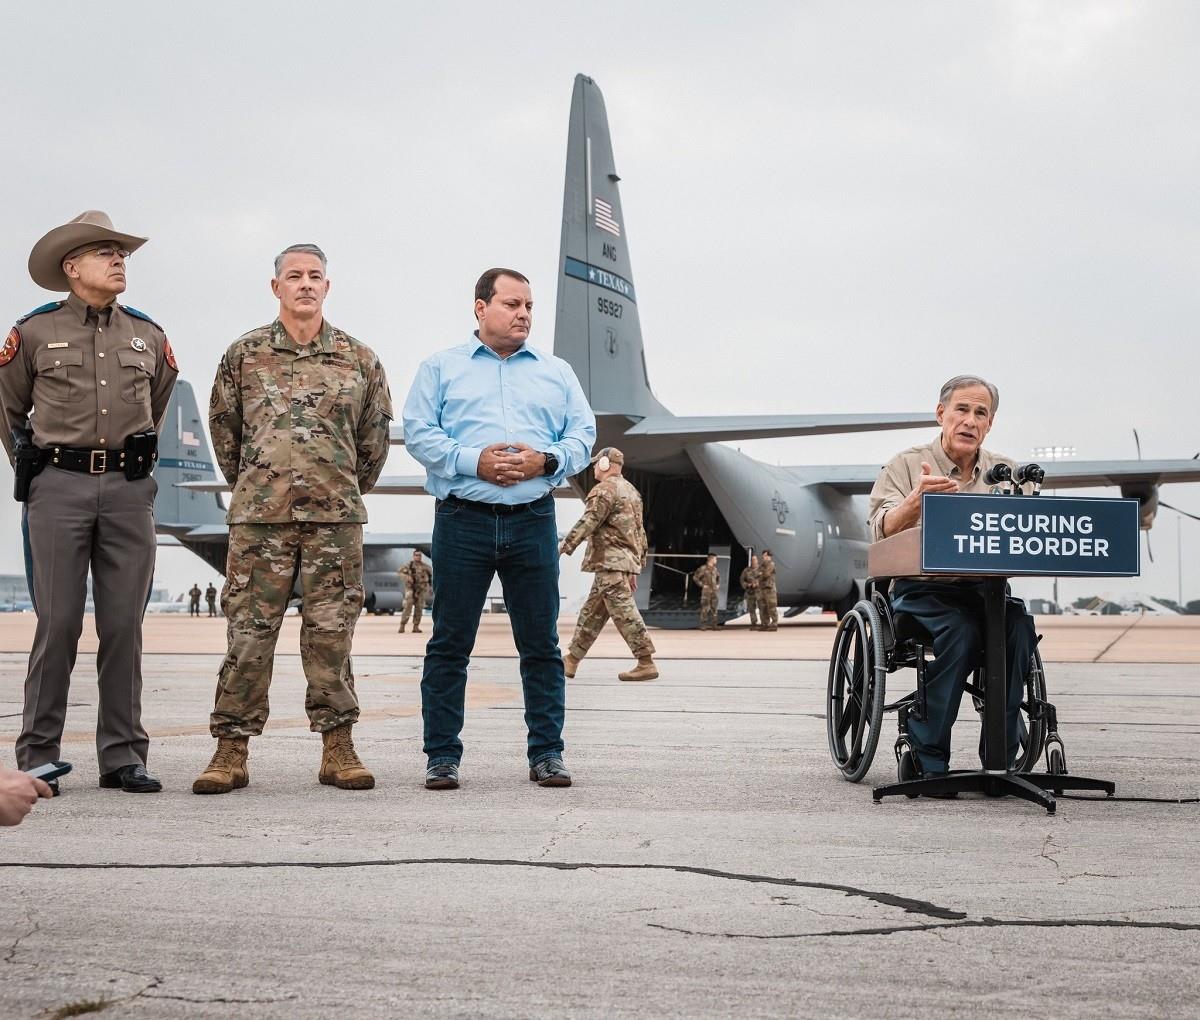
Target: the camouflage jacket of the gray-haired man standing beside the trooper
(301, 431)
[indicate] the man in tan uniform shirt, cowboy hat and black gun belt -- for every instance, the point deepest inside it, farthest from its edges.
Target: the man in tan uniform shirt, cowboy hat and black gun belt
(94, 377)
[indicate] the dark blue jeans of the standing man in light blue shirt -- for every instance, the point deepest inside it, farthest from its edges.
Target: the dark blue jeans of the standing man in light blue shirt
(471, 548)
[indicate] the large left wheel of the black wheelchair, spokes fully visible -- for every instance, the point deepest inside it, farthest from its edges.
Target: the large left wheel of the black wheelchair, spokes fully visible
(856, 692)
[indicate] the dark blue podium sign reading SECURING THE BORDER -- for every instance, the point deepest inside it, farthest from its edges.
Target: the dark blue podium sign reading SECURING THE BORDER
(1041, 536)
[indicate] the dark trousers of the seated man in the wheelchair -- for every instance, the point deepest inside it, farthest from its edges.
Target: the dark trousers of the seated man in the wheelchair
(953, 615)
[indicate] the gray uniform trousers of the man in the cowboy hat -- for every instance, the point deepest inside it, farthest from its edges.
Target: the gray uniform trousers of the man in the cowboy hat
(76, 521)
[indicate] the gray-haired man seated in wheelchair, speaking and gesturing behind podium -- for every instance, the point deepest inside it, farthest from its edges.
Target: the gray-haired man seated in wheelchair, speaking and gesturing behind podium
(951, 610)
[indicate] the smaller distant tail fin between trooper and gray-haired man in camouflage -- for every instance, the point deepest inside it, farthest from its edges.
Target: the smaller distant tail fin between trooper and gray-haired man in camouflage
(184, 457)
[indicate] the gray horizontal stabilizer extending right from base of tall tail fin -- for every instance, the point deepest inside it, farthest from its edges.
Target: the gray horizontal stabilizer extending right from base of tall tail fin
(721, 429)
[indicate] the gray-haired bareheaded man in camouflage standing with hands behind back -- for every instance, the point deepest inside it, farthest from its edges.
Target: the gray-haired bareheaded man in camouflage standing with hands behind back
(301, 418)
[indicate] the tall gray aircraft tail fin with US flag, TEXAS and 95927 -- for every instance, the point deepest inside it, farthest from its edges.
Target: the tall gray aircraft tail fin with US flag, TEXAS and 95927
(597, 327)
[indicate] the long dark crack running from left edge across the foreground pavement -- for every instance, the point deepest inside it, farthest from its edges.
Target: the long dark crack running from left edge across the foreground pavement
(908, 904)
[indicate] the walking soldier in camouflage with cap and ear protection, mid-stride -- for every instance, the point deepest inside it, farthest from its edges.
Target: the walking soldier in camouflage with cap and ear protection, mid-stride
(613, 525)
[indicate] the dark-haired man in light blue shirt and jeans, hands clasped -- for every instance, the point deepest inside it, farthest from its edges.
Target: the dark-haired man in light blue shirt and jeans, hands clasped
(497, 425)
